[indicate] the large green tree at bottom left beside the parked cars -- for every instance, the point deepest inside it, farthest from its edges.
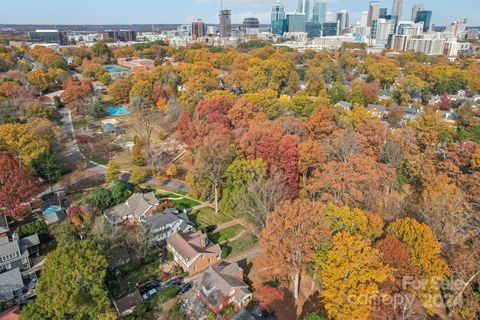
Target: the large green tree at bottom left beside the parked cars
(71, 285)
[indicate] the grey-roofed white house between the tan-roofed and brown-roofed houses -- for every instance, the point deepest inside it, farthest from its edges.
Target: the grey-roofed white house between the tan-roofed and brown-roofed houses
(163, 225)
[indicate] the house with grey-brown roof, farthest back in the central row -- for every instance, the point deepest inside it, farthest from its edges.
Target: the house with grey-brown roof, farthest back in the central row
(136, 208)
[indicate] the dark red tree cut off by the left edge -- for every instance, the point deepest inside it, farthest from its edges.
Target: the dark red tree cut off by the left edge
(17, 185)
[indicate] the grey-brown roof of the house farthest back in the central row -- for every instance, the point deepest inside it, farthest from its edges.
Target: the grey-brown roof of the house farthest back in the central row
(137, 205)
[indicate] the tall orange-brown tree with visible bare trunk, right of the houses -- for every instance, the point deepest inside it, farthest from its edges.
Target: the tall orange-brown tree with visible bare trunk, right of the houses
(292, 236)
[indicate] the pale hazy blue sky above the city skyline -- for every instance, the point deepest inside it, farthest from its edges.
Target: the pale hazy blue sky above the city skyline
(184, 11)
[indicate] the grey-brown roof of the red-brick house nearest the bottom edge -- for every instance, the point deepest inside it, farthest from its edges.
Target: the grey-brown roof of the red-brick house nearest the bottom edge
(217, 283)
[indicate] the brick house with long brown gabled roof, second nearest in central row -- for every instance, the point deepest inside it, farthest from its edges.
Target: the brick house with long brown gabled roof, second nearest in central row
(193, 252)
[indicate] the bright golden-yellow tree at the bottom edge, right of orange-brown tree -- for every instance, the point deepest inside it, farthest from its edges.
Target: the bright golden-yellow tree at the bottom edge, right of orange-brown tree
(351, 272)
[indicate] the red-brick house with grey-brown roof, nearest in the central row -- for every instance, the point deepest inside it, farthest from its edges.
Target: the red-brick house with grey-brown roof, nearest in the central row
(223, 285)
